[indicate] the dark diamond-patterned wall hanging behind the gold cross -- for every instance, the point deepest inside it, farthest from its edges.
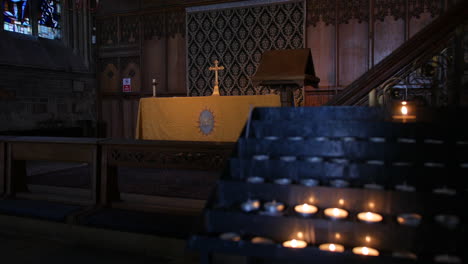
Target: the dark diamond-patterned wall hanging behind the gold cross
(237, 37)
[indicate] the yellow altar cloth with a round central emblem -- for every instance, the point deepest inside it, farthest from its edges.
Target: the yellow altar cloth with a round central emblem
(206, 118)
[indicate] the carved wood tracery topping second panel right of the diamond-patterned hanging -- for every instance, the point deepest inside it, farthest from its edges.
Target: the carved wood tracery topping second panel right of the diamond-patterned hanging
(353, 9)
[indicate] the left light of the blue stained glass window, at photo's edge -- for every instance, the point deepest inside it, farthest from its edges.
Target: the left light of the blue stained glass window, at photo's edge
(16, 16)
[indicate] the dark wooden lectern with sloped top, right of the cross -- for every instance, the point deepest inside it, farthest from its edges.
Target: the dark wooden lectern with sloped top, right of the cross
(286, 70)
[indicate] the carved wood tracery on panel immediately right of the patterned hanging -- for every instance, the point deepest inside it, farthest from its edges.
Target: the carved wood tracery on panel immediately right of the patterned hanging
(324, 10)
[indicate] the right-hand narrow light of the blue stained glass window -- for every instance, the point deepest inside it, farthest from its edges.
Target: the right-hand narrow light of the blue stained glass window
(49, 22)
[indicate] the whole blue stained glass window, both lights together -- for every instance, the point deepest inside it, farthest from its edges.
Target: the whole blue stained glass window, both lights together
(25, 16)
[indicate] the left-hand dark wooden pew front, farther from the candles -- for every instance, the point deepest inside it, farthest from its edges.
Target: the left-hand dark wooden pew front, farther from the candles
(22, 149)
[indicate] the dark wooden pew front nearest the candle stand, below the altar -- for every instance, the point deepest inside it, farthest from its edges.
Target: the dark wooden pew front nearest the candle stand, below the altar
(206, 156)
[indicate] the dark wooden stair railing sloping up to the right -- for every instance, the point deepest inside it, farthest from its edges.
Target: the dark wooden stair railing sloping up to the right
(426, 43)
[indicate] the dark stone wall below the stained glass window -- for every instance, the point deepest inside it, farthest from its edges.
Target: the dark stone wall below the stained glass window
(47, 84)
